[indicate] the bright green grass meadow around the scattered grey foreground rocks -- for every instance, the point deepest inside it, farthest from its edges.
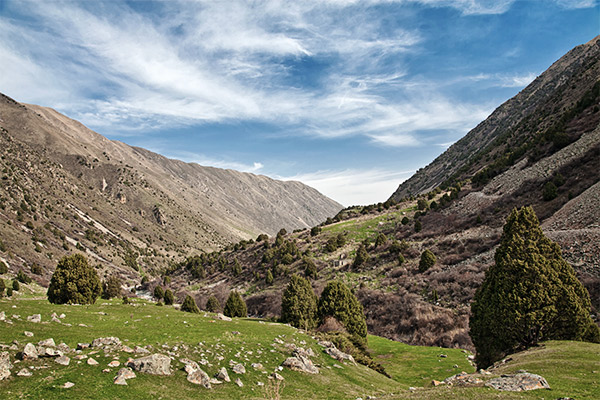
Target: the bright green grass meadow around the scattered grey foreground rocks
(571, 368)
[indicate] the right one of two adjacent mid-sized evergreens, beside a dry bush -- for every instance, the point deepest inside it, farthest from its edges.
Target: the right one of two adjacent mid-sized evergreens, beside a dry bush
(337, 301)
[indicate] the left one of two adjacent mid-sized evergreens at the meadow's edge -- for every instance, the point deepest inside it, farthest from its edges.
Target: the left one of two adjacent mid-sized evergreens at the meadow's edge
(299, 304)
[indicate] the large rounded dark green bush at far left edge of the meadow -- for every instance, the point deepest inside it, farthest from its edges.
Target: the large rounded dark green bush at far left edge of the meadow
(74, 282)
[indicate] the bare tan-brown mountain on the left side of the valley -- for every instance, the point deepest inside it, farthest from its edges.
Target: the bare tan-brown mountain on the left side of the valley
(64, 185)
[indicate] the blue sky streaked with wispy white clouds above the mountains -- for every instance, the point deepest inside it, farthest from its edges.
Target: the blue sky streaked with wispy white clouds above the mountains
(350, 97)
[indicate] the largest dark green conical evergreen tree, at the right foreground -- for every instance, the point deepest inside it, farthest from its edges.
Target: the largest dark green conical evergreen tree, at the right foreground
(530, 294)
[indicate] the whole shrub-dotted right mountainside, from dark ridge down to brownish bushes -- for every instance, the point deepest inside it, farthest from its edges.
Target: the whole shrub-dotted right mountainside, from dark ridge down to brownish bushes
(540, 149)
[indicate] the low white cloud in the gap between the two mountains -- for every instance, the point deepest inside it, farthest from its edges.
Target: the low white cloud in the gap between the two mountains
(354, 187)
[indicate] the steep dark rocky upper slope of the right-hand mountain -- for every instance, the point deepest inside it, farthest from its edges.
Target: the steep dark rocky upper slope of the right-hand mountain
(548, 114)
